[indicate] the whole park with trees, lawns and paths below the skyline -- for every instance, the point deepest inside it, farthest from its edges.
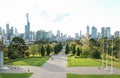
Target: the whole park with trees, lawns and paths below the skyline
(69, 59)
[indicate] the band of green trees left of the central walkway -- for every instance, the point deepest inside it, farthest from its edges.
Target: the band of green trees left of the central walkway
(19, 49)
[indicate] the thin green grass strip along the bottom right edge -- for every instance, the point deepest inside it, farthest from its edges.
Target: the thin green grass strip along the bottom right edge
(92, 76)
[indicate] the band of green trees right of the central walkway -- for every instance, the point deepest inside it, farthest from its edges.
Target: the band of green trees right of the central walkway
(93, 48)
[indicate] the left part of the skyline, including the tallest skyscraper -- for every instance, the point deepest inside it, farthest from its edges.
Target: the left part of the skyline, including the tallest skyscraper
(30, 36)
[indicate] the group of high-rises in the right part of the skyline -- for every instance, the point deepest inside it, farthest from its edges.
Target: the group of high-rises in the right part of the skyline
(105, 32)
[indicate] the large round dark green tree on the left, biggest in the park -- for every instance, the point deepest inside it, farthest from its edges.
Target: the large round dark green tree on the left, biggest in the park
(17, 47)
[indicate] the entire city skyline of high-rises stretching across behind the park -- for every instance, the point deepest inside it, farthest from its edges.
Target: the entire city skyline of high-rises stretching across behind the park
(31, 36)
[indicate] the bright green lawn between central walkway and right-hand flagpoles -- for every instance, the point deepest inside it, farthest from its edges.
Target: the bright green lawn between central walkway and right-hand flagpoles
(76, 62)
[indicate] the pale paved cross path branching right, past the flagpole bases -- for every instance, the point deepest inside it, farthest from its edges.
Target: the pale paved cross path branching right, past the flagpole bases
(91, 70)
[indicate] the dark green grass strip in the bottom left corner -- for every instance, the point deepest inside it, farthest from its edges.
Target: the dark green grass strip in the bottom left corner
(15, 75)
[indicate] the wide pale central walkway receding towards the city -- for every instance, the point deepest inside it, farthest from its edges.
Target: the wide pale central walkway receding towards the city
(53, 68)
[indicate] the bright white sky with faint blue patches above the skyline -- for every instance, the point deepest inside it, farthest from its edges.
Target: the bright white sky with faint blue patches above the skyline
(68, 16)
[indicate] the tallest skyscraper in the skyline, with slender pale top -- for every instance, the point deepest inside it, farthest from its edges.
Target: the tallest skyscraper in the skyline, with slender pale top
(27, 28)
